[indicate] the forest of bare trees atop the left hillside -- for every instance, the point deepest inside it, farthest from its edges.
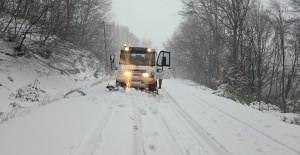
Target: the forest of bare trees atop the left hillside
(39, 27)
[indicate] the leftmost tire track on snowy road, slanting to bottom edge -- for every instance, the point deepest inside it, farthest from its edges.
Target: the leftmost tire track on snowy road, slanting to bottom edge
(88, 144)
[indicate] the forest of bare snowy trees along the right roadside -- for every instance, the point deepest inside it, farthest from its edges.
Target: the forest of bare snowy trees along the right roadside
(251, 50)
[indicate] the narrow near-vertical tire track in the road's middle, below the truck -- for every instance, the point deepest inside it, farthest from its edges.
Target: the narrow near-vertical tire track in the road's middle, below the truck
(138, 147)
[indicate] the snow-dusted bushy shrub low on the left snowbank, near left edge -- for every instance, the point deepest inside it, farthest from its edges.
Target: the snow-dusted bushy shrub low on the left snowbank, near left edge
(30, 92)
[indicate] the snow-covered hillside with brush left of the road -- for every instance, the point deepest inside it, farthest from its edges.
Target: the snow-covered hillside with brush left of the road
(31, 81)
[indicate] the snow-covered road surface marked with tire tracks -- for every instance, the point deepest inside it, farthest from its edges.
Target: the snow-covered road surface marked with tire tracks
(182, 120)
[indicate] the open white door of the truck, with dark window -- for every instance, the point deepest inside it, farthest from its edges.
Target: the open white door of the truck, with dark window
(163, 65)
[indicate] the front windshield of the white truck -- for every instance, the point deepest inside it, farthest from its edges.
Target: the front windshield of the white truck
(143, 58)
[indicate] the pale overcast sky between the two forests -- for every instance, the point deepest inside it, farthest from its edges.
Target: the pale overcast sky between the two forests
(152, 19)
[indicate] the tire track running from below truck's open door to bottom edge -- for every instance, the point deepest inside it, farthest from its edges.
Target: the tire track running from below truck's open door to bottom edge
(199, 130)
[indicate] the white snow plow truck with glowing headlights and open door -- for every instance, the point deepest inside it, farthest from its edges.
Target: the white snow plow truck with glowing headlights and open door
(140, 68)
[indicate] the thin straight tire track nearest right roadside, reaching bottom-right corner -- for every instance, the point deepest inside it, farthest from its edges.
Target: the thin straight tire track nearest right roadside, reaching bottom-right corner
(238, 120)
